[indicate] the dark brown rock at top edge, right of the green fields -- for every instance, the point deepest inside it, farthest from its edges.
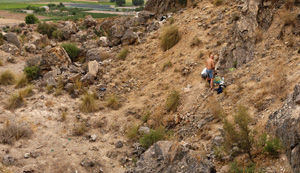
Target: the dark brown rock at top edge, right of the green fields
(162, 6)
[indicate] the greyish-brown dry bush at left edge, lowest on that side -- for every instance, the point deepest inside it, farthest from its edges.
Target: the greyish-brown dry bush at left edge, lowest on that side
(13, 132)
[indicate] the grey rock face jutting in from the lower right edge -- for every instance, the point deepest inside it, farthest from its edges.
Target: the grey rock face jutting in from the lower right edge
(285, 124)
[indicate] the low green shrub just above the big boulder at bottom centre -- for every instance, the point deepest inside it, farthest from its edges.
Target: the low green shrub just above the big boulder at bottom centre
(155, 135)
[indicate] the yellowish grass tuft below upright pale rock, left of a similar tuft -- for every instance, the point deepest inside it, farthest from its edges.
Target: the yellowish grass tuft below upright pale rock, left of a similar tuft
(88, 104)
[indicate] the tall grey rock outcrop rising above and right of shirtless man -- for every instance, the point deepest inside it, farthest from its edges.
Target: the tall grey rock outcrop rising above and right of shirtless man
(241, 48)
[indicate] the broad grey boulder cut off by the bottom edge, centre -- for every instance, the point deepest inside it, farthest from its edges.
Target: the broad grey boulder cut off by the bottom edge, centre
(167, 156)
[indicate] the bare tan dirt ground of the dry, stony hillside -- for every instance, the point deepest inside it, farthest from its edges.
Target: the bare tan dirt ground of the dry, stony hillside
(249, 84)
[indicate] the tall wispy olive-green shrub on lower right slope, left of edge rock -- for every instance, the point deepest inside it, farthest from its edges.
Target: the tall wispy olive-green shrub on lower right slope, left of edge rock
(239, 133)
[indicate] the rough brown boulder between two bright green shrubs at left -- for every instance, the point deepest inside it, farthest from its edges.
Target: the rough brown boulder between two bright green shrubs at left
(56, 57)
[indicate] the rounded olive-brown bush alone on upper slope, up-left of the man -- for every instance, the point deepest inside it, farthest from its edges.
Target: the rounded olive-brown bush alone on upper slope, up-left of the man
(170, 37)
